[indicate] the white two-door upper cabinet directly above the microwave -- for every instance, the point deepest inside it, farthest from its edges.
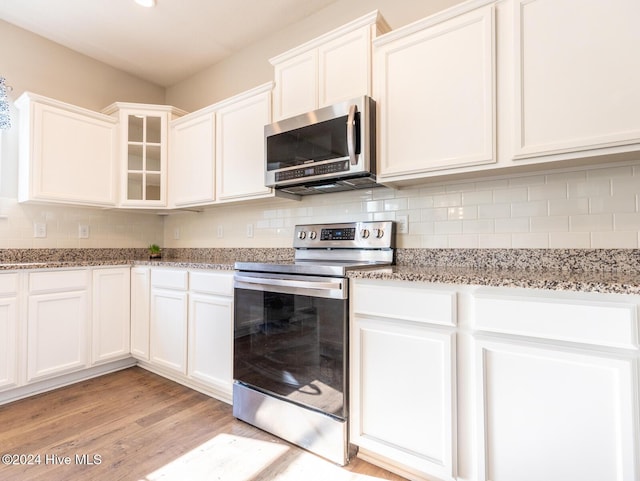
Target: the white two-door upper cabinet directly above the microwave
(326, 70)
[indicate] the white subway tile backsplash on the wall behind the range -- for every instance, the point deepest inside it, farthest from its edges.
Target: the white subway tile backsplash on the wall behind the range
(592, 208)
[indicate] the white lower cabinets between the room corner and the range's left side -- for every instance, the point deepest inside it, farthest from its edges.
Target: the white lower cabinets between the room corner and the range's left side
(190, 327)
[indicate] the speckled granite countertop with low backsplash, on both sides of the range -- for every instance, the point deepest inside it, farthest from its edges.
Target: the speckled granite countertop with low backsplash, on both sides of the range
(593, 270)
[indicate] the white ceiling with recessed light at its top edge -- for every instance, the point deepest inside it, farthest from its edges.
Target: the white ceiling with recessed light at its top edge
(164, 44)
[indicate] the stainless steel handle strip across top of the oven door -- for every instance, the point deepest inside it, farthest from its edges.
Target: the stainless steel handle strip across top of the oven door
(334, 289)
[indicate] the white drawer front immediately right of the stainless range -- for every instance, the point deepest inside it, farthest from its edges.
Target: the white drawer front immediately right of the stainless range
(409, 301)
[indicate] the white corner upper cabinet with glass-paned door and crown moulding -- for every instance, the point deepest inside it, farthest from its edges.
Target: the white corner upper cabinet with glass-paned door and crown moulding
(144, 133)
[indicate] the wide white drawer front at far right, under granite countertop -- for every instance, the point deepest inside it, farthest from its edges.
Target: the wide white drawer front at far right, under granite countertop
(587, 321)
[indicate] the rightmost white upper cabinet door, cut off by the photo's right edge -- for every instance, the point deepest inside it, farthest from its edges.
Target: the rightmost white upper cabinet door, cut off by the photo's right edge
(577, 77)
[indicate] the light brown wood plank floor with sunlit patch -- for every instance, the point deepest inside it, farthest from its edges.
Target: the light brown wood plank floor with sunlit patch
(136, 426)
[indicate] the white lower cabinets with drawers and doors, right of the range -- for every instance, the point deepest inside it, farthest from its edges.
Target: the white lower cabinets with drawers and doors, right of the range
(454, 382)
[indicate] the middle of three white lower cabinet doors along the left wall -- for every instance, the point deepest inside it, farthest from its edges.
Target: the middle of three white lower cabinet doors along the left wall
(57, 334)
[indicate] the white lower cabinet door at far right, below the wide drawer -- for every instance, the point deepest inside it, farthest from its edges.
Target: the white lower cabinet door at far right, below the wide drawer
(555, 415)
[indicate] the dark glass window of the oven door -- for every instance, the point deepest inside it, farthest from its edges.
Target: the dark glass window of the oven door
(292, 346)
